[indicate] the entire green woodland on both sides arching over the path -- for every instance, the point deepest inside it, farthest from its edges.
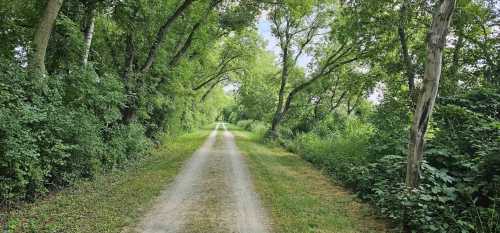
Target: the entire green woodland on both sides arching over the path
(397, 100)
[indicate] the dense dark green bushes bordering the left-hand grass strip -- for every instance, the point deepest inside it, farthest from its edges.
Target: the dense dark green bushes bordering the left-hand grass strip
(57, 129)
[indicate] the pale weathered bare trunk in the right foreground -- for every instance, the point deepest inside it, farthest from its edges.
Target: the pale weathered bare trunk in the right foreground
(435, 44)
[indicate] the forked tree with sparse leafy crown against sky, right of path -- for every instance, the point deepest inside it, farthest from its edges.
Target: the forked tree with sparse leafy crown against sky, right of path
(299, 29)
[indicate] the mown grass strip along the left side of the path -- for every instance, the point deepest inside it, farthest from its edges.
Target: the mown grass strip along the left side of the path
(112, 202)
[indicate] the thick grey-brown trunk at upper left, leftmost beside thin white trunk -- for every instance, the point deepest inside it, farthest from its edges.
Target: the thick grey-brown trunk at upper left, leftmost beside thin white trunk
(42, 35)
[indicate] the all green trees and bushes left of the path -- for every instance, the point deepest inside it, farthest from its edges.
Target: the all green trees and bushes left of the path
(116, 76)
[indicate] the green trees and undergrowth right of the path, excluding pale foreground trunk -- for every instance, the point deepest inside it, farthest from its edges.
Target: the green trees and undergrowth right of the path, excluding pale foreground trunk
(354, 120)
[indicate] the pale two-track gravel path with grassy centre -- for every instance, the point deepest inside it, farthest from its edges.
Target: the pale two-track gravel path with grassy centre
(213, 193)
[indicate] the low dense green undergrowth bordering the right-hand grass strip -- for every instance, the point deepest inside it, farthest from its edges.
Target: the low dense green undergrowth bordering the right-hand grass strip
(460, 187)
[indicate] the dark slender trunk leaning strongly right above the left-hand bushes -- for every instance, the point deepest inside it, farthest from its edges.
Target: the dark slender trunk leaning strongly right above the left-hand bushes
(160, 36)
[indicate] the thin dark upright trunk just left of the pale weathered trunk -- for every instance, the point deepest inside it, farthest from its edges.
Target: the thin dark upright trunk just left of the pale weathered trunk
(405, 54)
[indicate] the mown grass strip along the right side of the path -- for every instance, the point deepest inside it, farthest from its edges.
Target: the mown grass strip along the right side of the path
(299, 197)
